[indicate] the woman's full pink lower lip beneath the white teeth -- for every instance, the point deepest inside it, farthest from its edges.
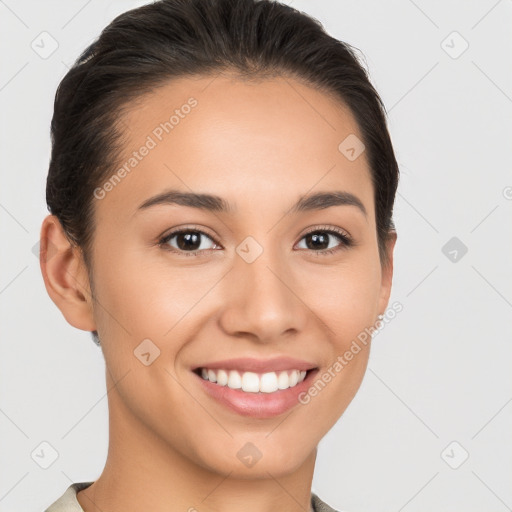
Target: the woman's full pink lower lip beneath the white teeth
(258, 405)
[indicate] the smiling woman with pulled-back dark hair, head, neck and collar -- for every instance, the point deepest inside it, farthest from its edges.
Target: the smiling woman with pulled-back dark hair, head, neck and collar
(221, 189)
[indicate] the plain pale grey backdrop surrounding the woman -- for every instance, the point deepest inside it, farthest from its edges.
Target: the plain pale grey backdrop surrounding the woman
(438, 387)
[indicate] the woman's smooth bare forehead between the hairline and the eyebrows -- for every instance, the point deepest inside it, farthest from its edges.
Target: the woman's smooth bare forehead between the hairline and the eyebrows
(239, 139)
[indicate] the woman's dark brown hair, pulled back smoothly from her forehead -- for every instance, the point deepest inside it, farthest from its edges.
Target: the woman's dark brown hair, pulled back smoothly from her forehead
(146, 47)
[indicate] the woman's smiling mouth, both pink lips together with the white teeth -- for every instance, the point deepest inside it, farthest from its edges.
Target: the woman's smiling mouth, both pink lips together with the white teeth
(244, 387)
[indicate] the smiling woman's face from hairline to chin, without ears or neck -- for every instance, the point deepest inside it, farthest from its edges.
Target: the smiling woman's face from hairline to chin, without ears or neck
(265, 280)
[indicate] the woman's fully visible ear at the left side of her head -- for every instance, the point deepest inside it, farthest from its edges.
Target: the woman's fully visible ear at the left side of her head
(65, 275)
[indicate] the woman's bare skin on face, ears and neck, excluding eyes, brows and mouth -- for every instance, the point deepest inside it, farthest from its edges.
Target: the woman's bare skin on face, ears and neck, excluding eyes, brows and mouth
(259, 145)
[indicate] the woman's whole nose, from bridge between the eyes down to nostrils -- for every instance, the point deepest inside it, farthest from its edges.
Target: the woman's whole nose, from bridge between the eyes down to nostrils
(261, 299)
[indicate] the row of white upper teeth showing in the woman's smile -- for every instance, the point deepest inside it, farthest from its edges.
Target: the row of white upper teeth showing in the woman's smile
(252, 382)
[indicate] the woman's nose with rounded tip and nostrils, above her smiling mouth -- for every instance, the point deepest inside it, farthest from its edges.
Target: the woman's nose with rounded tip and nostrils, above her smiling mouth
(261, 300)
